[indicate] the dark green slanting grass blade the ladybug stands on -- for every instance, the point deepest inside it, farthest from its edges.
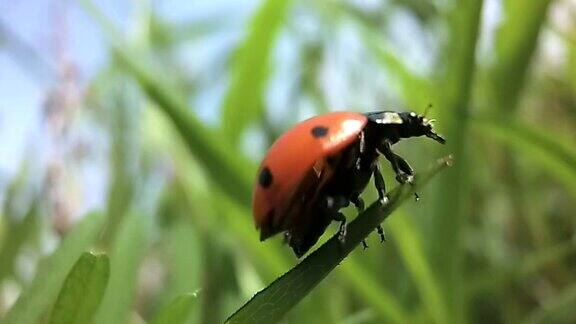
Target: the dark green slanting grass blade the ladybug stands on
(270, 304)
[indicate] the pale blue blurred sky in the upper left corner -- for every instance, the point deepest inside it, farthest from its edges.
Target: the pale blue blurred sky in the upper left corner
(56, 29)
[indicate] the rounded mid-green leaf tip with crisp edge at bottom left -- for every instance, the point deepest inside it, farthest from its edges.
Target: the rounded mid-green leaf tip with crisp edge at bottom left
(82, 291)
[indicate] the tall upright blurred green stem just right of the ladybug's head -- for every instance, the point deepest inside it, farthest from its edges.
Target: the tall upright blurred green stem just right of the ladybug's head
(450, 206)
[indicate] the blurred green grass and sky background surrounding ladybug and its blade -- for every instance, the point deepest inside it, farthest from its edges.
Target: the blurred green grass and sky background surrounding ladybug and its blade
(133, 129)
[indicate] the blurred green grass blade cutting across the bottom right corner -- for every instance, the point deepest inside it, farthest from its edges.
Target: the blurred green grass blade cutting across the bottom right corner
(559, 309)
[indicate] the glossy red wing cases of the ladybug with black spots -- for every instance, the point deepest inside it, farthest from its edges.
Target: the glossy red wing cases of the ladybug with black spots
(298, 155)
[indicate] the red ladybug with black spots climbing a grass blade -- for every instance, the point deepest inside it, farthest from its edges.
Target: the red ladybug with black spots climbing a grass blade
(322, 165)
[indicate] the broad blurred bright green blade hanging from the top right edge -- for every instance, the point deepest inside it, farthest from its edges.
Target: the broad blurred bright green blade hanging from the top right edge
(516, 42)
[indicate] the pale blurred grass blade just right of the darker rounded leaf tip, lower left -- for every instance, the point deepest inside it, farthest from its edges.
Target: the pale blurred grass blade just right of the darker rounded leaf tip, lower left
(127, 253)
